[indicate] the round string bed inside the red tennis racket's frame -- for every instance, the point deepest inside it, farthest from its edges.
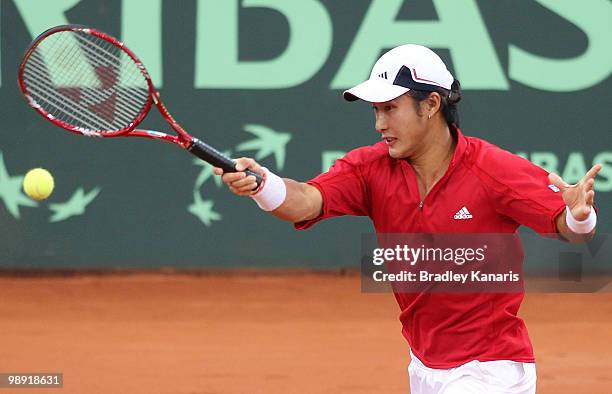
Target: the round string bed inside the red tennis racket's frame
(86, 82)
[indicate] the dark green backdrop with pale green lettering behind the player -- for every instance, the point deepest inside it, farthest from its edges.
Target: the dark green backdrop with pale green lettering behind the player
(264, 78)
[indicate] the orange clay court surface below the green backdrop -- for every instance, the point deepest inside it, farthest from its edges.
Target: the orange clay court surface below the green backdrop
(253, 333)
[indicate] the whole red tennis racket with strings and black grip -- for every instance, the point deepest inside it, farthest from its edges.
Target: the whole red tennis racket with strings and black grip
(90, 83)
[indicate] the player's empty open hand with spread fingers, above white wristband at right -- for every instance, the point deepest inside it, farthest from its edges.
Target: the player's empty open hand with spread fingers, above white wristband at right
(581, 196)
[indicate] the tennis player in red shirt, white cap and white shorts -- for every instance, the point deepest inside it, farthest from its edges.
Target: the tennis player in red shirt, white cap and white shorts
(426, 176)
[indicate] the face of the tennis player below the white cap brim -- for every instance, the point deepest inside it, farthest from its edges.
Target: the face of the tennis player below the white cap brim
(401, 126)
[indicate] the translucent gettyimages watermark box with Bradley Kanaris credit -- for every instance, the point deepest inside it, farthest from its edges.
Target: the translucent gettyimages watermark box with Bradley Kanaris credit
(491, 263)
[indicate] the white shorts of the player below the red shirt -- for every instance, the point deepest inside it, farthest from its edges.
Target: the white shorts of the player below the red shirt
(475, 377)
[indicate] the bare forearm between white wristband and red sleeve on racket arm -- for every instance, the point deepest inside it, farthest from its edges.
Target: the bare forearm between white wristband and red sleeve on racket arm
(303, 202)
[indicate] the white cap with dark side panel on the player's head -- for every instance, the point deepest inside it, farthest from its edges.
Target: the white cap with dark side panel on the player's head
(399, 70)
